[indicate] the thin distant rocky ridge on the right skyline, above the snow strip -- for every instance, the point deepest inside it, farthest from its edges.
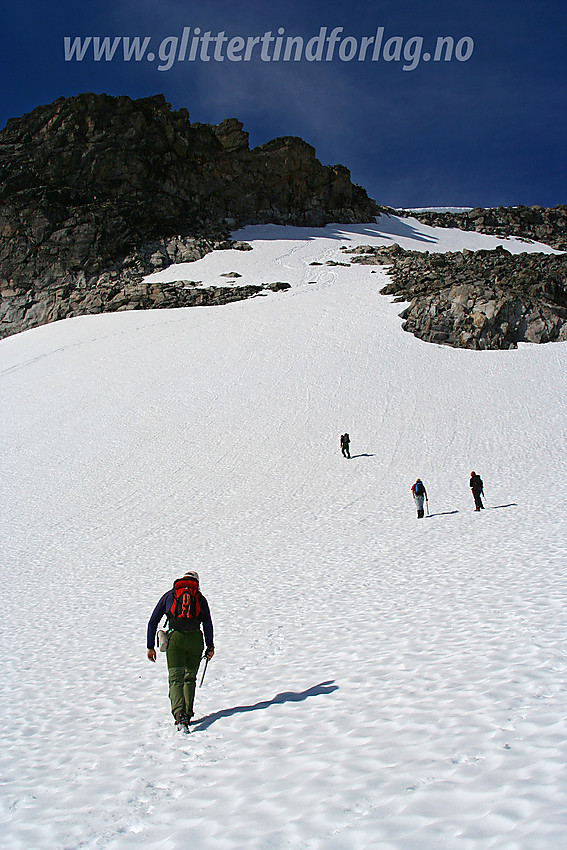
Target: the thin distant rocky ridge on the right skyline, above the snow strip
(540, 224)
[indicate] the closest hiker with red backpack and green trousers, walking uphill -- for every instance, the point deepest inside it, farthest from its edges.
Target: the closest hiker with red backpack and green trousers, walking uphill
(186, 609)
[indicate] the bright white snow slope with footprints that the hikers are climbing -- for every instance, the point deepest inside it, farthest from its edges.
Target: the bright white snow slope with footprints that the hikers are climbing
(379, 682)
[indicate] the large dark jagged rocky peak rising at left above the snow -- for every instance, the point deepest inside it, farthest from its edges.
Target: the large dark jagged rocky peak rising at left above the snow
(98, 191)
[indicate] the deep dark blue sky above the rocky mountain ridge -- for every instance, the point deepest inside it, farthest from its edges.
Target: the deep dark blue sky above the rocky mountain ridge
(484, 131)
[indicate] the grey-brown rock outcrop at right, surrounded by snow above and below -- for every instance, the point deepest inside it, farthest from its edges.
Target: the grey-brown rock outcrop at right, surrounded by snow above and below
(476, 299)
